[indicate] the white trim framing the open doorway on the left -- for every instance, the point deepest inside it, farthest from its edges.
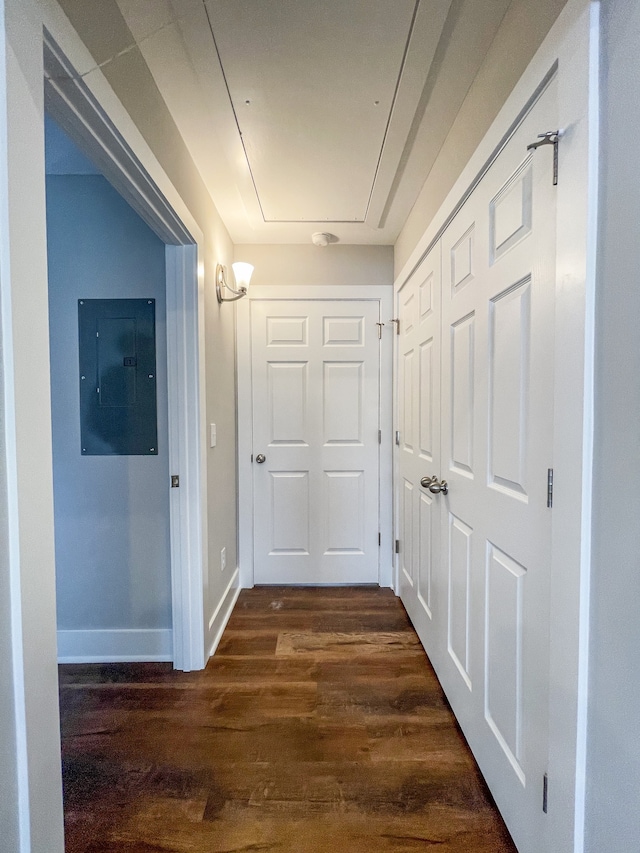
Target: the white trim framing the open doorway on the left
(70, 101)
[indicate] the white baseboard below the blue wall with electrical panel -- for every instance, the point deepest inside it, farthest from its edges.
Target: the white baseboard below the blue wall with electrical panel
(115, 645)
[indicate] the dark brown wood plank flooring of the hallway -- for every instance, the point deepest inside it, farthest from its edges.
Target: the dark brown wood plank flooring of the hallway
(318, 727)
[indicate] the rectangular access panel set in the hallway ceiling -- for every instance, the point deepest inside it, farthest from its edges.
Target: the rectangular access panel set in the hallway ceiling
(312, 86)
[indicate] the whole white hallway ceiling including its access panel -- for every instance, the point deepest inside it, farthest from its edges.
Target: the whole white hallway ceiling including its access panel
(313, 115)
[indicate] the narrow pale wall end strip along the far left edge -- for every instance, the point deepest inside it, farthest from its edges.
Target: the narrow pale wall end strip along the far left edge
(26, 465)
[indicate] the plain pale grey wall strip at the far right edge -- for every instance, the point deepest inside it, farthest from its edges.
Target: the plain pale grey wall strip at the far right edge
(613, 746)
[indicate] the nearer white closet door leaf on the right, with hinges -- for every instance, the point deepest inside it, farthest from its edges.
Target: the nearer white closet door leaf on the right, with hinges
(497, 406)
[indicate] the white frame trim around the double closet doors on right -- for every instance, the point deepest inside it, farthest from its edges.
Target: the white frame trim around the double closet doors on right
(571, 50)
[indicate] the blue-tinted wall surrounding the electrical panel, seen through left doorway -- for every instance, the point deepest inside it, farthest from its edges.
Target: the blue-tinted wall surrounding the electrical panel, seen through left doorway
(111, 512)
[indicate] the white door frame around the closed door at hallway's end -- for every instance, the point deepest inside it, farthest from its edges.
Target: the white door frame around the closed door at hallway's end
(377, 293)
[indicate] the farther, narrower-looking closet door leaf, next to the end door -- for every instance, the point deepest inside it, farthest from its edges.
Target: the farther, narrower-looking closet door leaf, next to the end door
(419, 444)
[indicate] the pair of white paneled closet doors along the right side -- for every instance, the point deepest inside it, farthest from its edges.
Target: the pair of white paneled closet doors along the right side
(475, 405)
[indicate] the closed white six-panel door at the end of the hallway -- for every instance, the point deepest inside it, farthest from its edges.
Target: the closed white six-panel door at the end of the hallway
(316, 390)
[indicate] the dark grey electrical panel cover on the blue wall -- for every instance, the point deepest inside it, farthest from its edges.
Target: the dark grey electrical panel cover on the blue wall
(118, 411)
